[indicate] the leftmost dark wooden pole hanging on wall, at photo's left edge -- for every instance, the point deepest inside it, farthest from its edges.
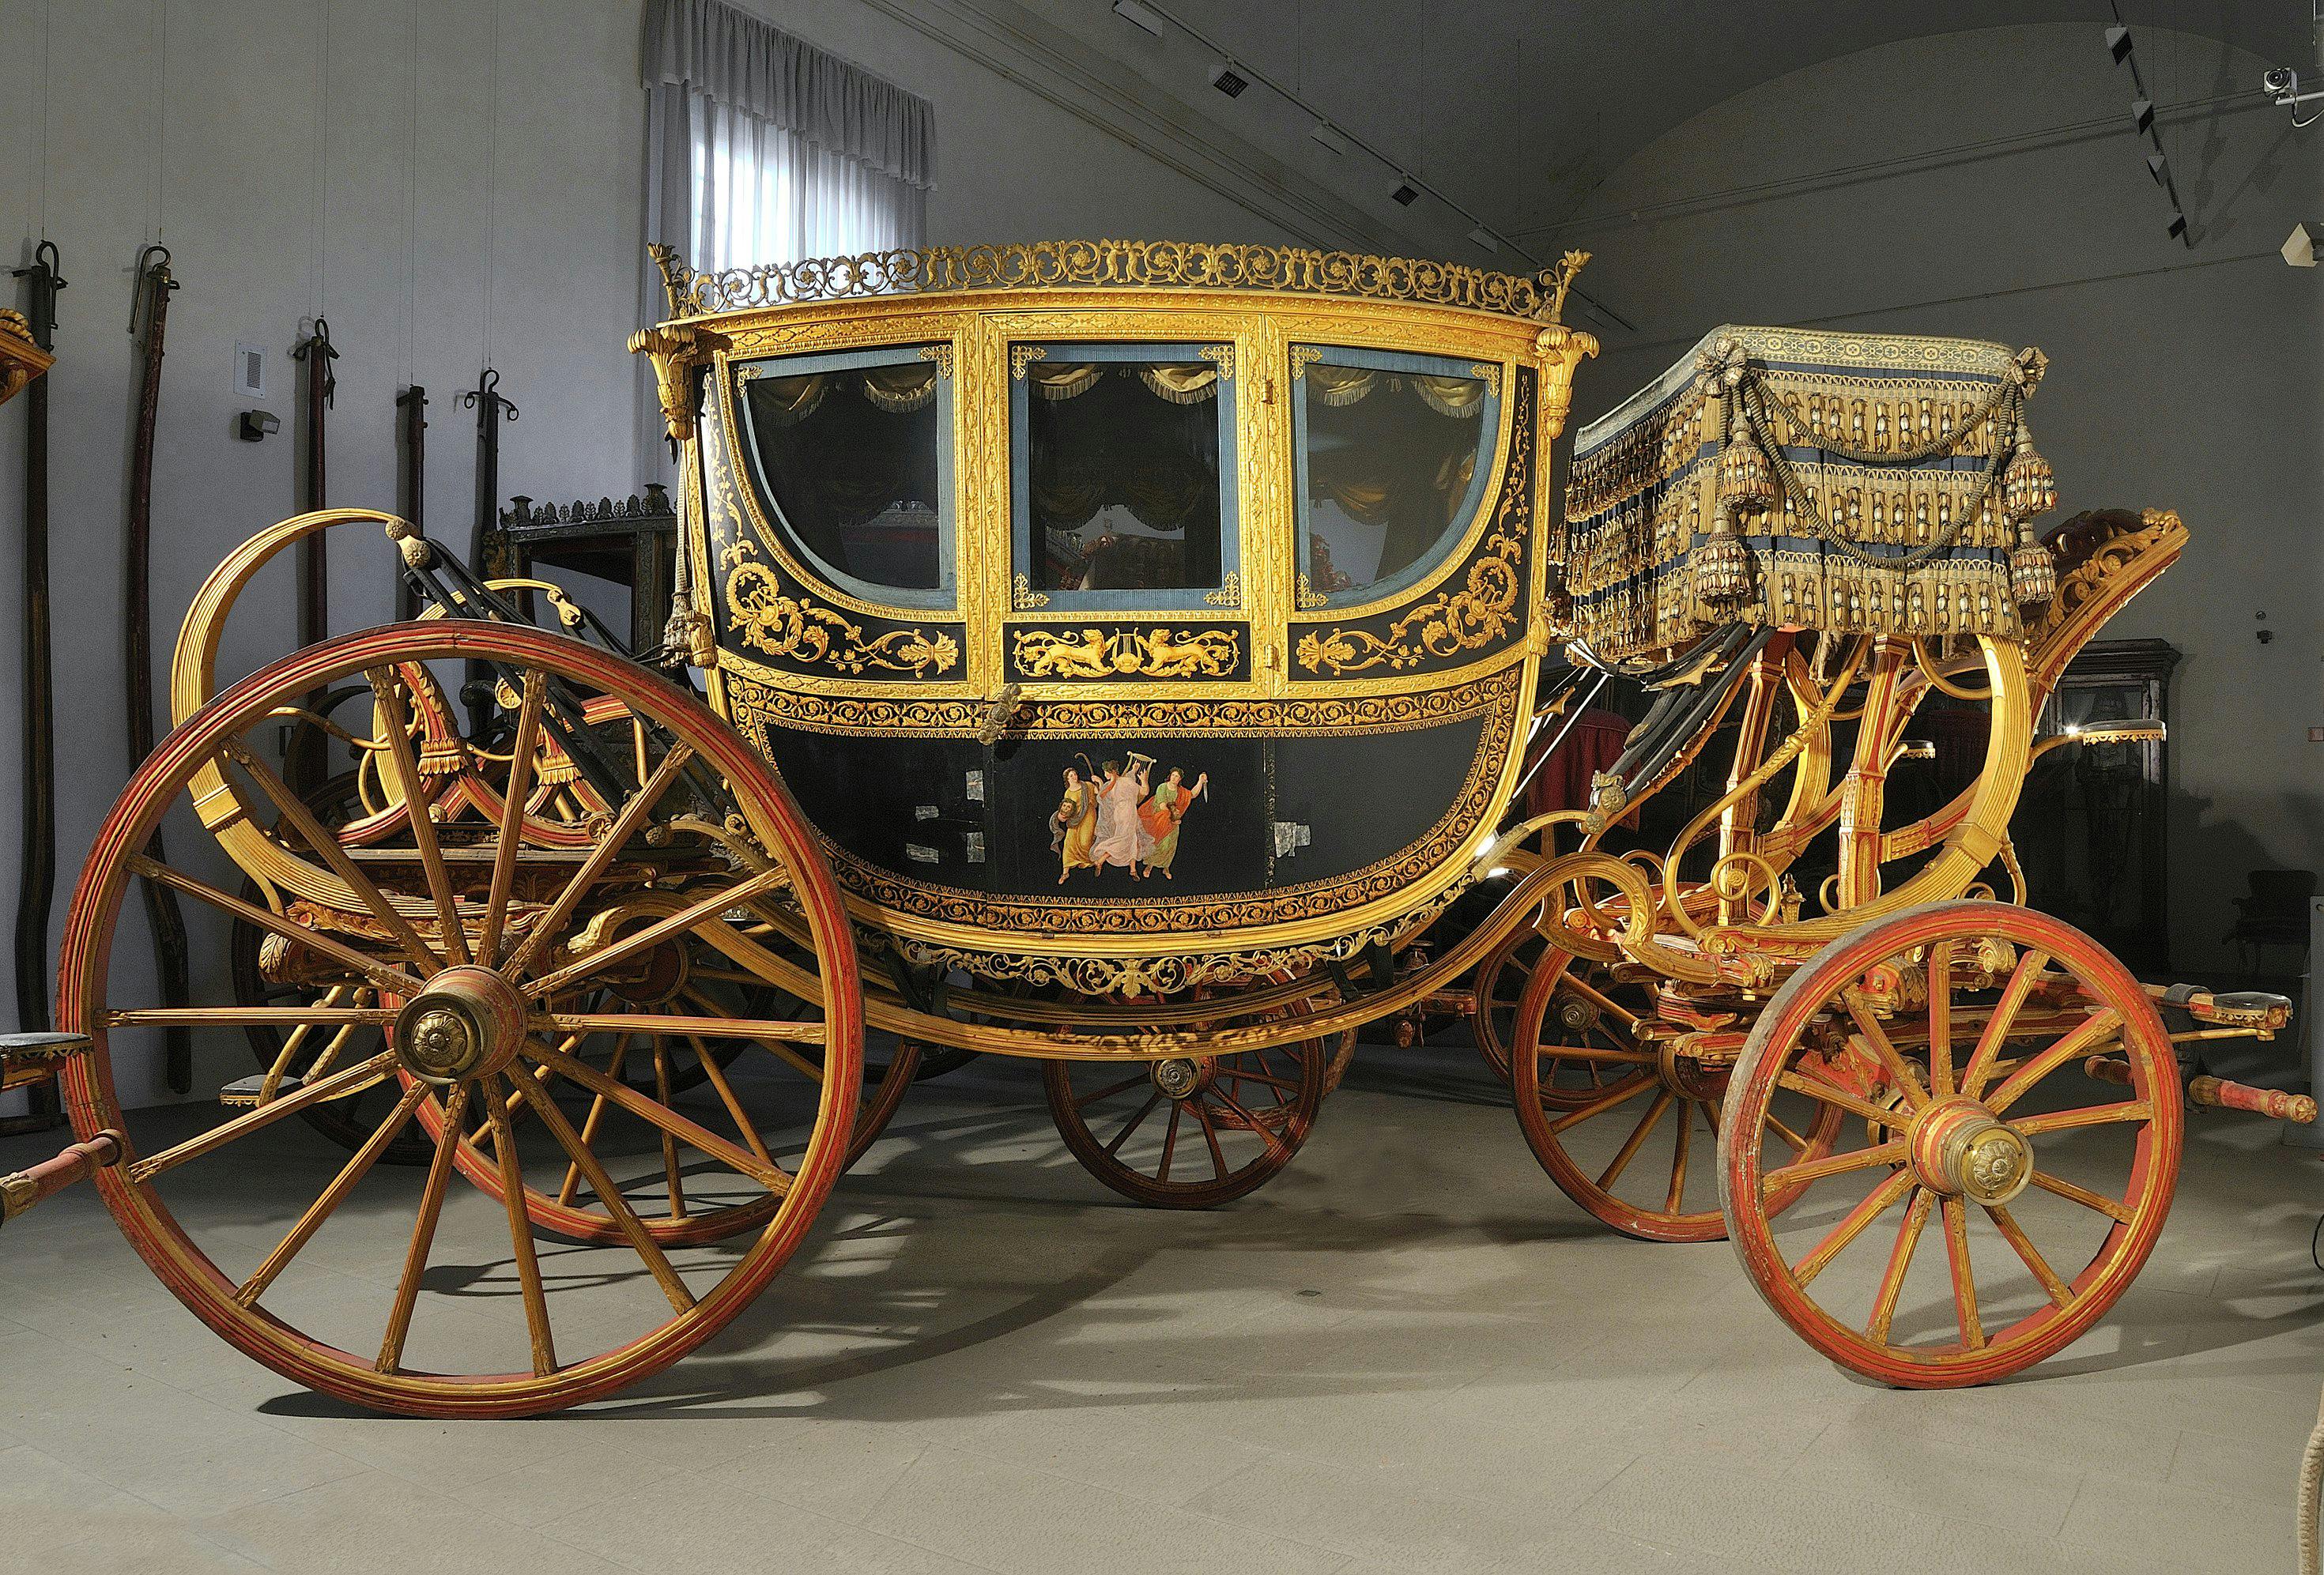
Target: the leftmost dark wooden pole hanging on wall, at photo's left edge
(36, 889)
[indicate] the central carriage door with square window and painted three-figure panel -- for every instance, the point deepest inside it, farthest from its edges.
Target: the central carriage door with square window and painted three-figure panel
(1128, 603)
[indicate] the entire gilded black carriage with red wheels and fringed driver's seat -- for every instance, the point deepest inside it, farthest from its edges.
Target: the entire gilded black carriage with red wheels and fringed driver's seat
(1126, 656)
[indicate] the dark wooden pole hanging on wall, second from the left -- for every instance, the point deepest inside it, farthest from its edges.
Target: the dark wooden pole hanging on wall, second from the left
(164, 916)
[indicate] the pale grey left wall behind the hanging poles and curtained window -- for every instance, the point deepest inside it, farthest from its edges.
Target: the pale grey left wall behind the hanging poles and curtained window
(471, 192)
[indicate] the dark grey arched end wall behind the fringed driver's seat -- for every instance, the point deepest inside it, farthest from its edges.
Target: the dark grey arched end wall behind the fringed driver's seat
(2179, 377)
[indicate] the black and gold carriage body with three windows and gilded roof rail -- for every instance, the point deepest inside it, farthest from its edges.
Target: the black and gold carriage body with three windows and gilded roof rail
(1121, 614)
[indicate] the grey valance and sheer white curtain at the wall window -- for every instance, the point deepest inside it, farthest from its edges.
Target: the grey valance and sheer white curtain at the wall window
(768, 150)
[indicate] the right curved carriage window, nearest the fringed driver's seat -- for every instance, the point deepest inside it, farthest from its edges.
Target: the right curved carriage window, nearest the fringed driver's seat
(1393, 456)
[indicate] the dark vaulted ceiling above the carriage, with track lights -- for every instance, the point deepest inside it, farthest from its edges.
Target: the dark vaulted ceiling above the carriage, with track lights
(1519, 108)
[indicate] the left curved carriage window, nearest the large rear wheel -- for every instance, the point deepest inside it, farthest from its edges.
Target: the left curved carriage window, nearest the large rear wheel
(852, 456)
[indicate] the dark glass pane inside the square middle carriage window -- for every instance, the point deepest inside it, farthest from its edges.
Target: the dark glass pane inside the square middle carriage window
(1124, 475)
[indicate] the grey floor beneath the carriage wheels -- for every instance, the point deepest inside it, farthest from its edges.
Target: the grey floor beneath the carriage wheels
(1405, 1355)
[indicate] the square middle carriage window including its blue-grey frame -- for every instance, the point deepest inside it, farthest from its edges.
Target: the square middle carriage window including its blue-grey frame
(1124, 466)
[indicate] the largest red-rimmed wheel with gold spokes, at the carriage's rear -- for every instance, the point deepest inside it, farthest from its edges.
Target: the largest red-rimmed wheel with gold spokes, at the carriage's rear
(489, 963)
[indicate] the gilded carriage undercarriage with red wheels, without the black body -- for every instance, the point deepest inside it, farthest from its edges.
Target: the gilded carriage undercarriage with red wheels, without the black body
(608, 972)
